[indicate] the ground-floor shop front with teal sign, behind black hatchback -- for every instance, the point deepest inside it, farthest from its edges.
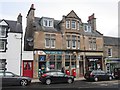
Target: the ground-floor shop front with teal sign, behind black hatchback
(56, 60)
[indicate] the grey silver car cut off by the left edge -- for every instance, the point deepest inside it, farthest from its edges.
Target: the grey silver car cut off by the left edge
(9, 78)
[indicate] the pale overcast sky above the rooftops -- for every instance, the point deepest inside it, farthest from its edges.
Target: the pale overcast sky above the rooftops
(106, 11)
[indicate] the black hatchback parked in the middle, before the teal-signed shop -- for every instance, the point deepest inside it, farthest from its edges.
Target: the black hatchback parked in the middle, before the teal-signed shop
(55, 77)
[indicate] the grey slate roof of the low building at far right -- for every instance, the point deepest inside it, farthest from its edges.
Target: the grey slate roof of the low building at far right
(111, 40)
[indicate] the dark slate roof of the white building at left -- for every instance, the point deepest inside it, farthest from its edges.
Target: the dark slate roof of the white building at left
(14, 26)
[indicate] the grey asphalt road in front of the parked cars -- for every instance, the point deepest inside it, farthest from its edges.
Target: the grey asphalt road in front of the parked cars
(77, 84)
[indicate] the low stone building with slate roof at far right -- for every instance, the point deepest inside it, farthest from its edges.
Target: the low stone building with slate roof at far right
(111, 53)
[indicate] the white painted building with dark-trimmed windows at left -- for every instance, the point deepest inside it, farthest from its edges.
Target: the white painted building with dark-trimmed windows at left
(11, 44)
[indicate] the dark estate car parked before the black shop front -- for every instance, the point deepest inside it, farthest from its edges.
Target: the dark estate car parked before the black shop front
(96, 75)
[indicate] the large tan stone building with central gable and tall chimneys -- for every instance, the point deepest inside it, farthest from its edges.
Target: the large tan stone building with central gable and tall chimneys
(67, 43)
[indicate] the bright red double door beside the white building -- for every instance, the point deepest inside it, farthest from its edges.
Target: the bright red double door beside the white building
(28, 69)
